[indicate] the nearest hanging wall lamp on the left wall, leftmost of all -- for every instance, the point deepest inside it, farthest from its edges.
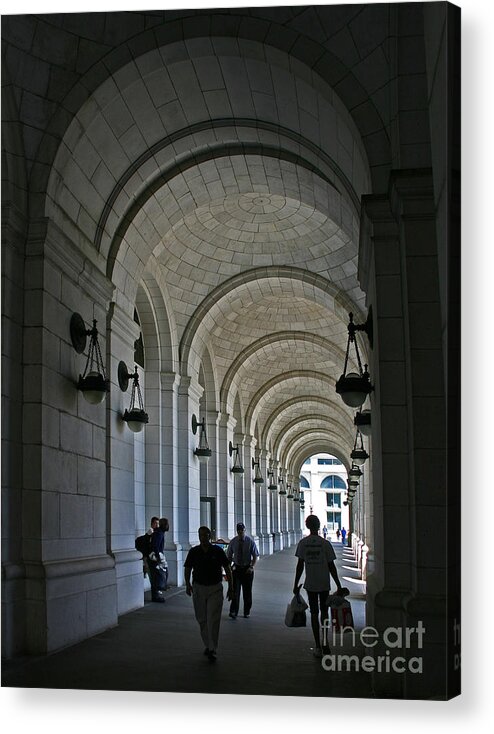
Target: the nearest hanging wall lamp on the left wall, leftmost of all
(92, 383)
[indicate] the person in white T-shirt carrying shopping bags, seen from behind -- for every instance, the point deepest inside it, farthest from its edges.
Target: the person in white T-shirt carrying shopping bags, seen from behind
(316, 556)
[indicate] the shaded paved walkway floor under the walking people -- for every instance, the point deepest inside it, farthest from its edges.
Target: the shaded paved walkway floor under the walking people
(159, 648)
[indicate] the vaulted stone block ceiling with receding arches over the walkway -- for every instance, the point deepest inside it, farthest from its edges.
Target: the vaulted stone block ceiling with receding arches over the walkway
(242, 232)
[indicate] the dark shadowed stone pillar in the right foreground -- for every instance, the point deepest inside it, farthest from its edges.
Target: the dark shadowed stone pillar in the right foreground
(408, 585)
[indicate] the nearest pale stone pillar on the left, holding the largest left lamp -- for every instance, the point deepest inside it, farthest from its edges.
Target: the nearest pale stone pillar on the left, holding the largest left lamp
(67, 569)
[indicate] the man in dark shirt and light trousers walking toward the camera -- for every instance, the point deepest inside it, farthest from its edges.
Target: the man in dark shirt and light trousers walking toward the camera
(206, 561)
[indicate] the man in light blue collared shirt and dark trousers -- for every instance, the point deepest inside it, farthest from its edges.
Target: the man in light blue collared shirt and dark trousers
(243, 551)
